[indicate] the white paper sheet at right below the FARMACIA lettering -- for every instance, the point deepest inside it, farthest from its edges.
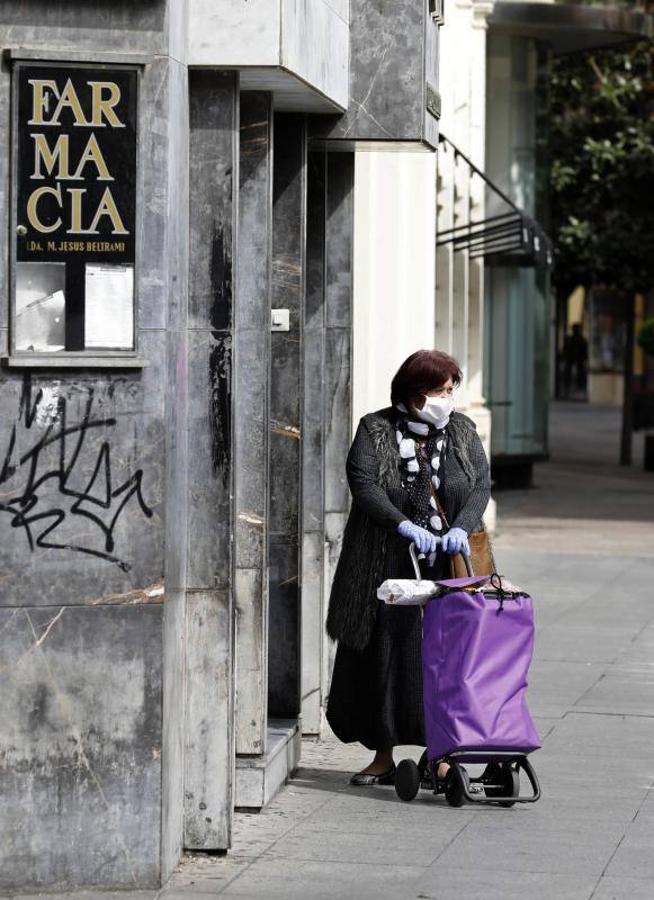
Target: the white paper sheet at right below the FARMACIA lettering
(109, 305)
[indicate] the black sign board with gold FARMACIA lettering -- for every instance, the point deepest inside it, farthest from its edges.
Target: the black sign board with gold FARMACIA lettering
(76, 169)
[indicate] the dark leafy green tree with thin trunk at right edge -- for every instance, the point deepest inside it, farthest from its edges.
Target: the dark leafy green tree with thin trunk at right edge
(601, 150)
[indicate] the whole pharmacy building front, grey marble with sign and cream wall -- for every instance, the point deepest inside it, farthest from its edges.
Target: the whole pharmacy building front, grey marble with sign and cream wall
(199, 205)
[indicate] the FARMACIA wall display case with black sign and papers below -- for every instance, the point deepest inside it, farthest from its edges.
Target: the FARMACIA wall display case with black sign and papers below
(74, 211)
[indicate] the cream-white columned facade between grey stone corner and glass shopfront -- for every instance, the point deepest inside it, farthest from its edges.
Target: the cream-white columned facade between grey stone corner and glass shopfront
(461, 200)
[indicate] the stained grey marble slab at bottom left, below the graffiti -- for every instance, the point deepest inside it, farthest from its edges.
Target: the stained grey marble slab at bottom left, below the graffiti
(81, 744)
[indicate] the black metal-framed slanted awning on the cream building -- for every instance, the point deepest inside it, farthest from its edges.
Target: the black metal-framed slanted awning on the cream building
(511, 238)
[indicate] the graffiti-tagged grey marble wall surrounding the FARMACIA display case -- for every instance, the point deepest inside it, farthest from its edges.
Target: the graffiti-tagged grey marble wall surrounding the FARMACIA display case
(83, 516)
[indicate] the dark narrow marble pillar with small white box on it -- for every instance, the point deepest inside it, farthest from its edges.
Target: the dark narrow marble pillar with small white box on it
(288, 281)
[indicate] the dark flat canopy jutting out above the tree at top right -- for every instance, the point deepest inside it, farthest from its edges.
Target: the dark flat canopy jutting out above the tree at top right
(568, 27)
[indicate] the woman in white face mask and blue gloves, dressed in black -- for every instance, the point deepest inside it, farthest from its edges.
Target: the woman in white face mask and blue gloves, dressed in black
(417, 471)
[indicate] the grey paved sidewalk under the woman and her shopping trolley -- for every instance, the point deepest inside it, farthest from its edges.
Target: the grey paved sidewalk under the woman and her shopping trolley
(582, 541)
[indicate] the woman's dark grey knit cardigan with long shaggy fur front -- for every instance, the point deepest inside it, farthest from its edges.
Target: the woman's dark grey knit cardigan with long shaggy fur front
(373, 462)
